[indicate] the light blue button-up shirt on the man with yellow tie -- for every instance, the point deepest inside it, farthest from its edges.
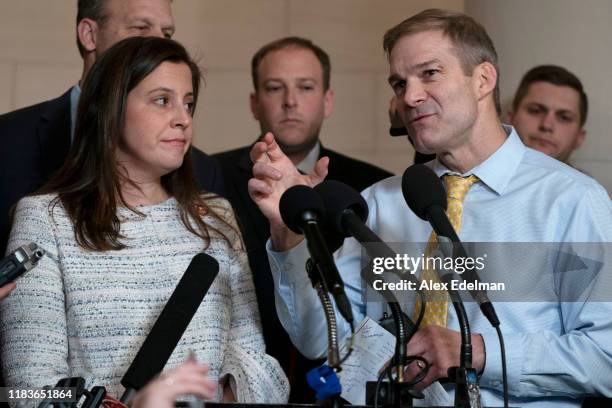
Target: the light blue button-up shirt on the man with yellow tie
(556, 351)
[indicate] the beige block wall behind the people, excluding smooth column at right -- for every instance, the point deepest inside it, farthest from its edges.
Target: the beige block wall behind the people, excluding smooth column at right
(39, 60)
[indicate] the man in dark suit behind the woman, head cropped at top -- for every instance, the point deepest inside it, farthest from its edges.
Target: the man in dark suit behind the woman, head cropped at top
(36, 139)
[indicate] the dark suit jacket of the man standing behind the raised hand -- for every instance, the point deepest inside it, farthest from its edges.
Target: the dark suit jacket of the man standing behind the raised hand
(237, 170)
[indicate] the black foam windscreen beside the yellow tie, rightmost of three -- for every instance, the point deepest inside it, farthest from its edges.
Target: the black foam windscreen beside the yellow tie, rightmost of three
(422, 189)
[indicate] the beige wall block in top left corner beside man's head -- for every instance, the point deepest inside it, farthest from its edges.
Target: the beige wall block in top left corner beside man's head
(39, 30)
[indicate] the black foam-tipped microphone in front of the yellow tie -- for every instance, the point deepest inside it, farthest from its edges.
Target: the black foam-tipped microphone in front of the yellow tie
(425, 195)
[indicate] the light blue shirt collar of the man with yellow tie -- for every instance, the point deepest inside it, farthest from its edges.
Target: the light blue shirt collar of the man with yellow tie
(497, 170)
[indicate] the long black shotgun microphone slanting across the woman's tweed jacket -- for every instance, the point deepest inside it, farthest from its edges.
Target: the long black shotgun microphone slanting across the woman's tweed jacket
(171, 324)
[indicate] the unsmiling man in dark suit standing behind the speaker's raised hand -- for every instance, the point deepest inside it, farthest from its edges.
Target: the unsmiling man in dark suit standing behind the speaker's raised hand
(291, 100)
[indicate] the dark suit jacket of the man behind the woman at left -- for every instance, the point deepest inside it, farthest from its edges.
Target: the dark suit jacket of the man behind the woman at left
(34, 143)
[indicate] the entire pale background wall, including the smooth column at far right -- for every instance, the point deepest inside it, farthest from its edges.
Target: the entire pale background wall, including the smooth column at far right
(39, 60)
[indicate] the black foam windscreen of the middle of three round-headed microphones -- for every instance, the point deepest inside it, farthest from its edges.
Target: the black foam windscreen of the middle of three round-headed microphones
(338, 197)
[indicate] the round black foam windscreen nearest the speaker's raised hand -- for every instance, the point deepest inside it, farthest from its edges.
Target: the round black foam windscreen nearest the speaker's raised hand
(295, 202)
